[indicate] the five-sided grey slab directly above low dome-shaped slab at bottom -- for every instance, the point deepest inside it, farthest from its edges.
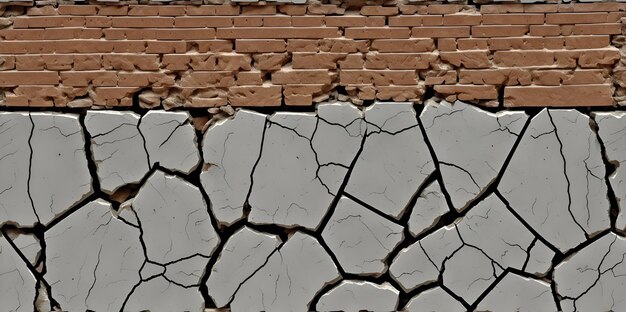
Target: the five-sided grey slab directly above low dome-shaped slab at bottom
(360, 239)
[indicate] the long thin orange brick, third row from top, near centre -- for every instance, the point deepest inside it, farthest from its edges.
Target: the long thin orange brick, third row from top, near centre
(277, 32)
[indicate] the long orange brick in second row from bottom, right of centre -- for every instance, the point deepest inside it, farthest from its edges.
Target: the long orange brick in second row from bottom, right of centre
(377, 77)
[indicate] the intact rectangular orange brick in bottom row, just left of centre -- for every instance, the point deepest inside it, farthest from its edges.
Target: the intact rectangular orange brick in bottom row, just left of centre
(255, 95)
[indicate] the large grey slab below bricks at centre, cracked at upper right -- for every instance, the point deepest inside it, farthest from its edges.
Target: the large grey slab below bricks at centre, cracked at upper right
(299, 173)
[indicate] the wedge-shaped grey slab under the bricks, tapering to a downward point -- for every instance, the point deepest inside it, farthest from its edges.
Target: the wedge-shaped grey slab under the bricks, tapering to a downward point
(471, 145)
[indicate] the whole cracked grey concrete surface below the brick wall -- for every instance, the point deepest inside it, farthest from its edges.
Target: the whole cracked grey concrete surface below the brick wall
(393, 206)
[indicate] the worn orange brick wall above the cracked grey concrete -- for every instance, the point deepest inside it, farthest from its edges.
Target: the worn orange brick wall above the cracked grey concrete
(296, 55)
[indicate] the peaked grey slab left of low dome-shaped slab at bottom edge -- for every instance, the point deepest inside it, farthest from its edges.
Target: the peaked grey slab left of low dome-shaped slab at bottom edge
(297, 272)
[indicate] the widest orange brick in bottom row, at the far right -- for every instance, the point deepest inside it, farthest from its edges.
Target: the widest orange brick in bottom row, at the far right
(566, 95)
